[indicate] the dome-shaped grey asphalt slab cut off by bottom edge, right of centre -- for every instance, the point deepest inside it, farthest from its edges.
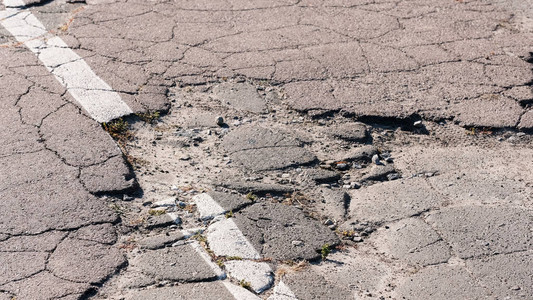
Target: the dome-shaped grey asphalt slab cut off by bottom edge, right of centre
(440, 282)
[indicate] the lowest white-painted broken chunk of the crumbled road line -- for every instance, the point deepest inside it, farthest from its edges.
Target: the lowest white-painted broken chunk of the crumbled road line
(258, 274)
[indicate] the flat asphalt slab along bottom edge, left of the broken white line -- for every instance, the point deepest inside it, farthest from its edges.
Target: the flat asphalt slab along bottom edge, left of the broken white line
(204, 290)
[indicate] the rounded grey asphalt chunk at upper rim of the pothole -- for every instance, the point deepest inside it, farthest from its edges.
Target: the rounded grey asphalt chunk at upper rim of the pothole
(241, 96)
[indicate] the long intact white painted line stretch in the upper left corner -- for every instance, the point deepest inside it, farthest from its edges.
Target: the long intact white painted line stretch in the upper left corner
(101, 102)
